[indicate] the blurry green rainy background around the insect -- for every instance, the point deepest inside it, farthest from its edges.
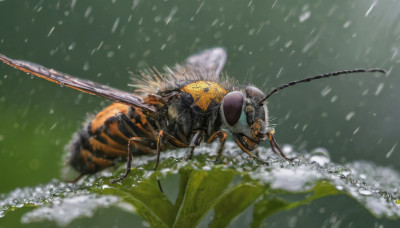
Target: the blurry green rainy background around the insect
(268, 43)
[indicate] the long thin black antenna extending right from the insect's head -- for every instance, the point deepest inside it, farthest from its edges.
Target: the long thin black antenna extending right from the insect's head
(327, 75)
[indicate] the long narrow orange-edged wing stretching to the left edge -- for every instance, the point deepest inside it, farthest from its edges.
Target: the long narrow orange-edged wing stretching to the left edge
(77, 83)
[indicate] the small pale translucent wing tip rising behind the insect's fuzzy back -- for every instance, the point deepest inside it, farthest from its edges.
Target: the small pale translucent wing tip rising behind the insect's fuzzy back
(212, 60)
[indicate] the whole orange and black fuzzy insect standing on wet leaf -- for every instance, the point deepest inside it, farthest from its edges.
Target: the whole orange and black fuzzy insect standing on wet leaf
(179, 107)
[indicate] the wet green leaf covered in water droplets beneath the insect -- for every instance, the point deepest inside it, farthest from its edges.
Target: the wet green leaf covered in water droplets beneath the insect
(228, 189)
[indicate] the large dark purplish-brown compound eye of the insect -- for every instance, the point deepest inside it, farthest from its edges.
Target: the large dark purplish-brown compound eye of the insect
(232, 106)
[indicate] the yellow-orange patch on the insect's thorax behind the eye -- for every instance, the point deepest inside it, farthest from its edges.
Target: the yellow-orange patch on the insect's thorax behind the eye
(203, 92)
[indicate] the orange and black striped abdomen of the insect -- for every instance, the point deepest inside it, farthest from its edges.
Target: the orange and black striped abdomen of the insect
(103, 141)
